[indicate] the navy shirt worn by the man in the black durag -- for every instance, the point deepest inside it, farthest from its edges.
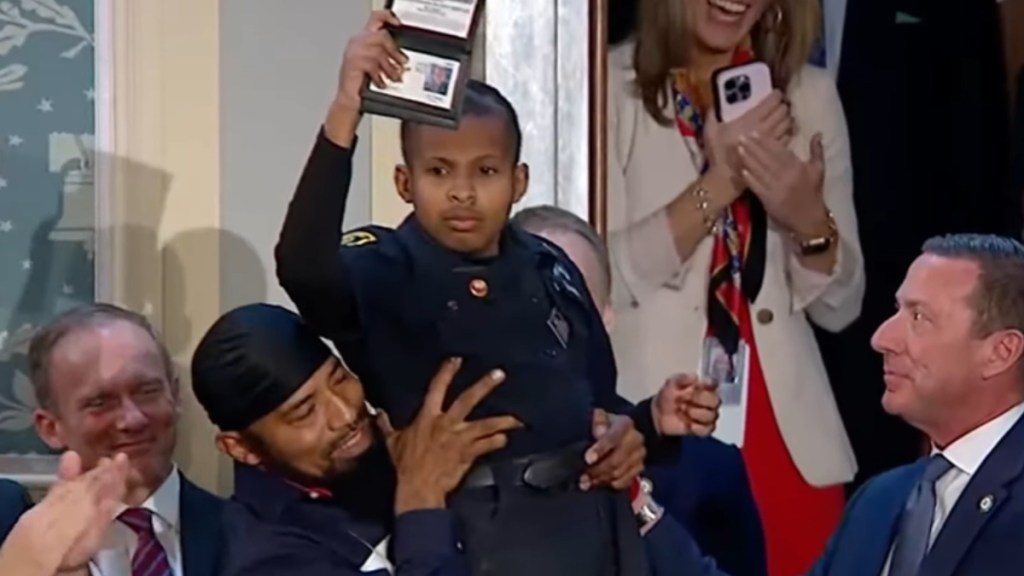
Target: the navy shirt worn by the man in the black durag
(275, 527)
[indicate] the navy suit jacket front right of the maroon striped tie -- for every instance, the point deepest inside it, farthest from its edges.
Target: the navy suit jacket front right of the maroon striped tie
(200, 530)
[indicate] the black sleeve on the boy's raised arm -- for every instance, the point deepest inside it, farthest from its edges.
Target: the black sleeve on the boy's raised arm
(310, 266)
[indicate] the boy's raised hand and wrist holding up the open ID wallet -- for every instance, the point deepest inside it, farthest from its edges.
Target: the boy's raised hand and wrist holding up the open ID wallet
(371, 56)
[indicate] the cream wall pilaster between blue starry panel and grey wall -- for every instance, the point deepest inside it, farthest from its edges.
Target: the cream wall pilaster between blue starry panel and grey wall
(158, 209)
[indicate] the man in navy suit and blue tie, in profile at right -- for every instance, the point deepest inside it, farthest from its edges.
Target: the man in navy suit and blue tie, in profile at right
(954, 365)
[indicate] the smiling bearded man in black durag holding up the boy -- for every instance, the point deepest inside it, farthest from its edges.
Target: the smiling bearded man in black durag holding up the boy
(321, 488)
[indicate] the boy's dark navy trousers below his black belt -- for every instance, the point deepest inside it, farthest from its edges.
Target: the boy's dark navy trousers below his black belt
(522, 531)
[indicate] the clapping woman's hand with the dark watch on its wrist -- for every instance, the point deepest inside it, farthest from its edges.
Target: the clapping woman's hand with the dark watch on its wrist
(791, 190)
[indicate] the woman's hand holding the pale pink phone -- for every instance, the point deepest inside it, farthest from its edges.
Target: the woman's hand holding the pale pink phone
(772, 118)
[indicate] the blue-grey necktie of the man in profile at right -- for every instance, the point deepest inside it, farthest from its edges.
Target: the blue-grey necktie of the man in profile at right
(916, 524)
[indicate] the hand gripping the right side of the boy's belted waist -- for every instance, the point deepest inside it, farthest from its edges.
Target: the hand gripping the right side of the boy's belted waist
(617, 459)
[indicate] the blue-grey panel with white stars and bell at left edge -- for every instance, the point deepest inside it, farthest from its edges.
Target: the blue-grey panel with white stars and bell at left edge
(47, 190)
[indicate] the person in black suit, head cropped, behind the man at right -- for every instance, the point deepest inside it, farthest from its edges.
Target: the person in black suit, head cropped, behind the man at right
(925, 92)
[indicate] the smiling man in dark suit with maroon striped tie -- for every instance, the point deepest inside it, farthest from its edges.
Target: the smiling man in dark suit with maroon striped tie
(106, 385)
